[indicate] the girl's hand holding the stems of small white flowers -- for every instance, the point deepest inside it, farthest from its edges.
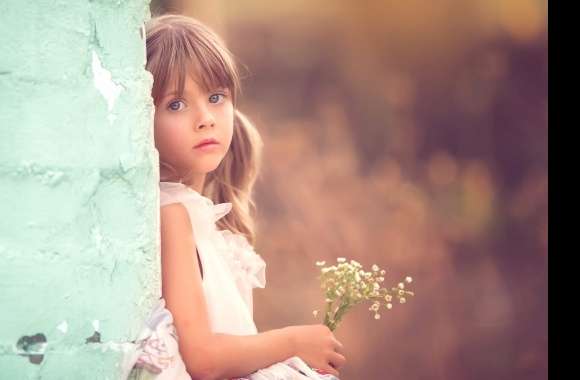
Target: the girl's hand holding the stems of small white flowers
(317, 346)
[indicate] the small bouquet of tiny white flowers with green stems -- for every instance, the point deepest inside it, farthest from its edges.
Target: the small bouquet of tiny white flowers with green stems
(347, 284)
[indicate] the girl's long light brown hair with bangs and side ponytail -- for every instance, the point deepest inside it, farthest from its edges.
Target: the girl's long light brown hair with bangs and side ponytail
(178, 45)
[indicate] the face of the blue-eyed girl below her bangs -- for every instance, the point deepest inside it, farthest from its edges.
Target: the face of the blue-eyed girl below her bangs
(182, 123)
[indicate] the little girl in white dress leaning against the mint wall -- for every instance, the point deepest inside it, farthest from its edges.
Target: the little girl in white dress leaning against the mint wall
(209, 152)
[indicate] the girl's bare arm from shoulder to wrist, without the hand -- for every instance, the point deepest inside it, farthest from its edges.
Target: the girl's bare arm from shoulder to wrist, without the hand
(207, 355)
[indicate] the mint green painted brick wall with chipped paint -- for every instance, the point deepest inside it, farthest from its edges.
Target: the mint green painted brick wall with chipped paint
(79, 263)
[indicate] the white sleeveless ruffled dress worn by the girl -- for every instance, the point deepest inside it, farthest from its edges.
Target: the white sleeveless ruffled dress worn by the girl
(231, 269)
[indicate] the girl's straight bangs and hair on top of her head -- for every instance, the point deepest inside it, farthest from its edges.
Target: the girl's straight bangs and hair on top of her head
(174, 53)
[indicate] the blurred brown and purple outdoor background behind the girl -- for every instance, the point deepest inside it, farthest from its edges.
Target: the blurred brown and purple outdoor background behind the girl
(413, 135)
